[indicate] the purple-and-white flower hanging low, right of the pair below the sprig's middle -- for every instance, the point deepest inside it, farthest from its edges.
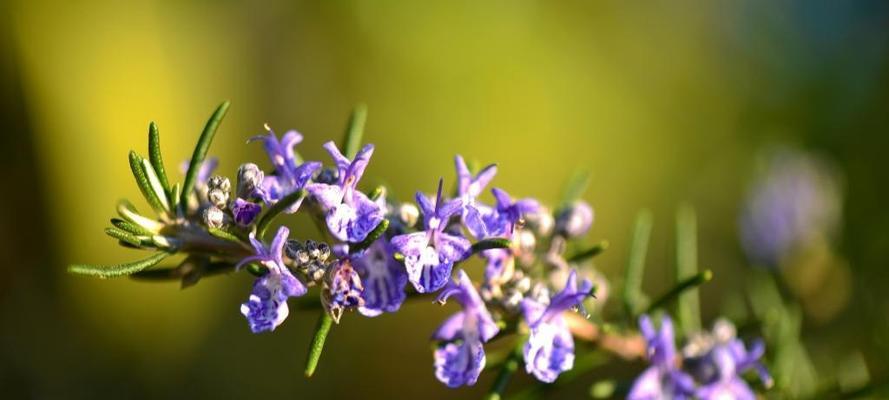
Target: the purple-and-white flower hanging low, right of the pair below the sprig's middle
(550, 347)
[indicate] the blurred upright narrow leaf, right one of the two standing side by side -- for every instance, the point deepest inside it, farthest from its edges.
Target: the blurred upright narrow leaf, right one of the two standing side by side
(688, 310)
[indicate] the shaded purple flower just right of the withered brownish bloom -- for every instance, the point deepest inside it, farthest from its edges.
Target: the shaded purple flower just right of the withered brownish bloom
(384, 279)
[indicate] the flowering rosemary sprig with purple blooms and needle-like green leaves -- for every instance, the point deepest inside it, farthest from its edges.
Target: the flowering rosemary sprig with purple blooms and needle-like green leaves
(537, 283)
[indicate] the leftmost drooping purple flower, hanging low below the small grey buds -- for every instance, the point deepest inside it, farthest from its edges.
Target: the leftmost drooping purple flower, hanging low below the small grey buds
(266, 308)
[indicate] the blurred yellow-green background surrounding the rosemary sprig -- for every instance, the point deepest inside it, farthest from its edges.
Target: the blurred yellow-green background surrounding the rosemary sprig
(663, 102)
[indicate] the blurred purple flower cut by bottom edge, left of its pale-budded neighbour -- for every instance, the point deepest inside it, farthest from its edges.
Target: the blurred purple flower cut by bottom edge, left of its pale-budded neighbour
(663, 379)
